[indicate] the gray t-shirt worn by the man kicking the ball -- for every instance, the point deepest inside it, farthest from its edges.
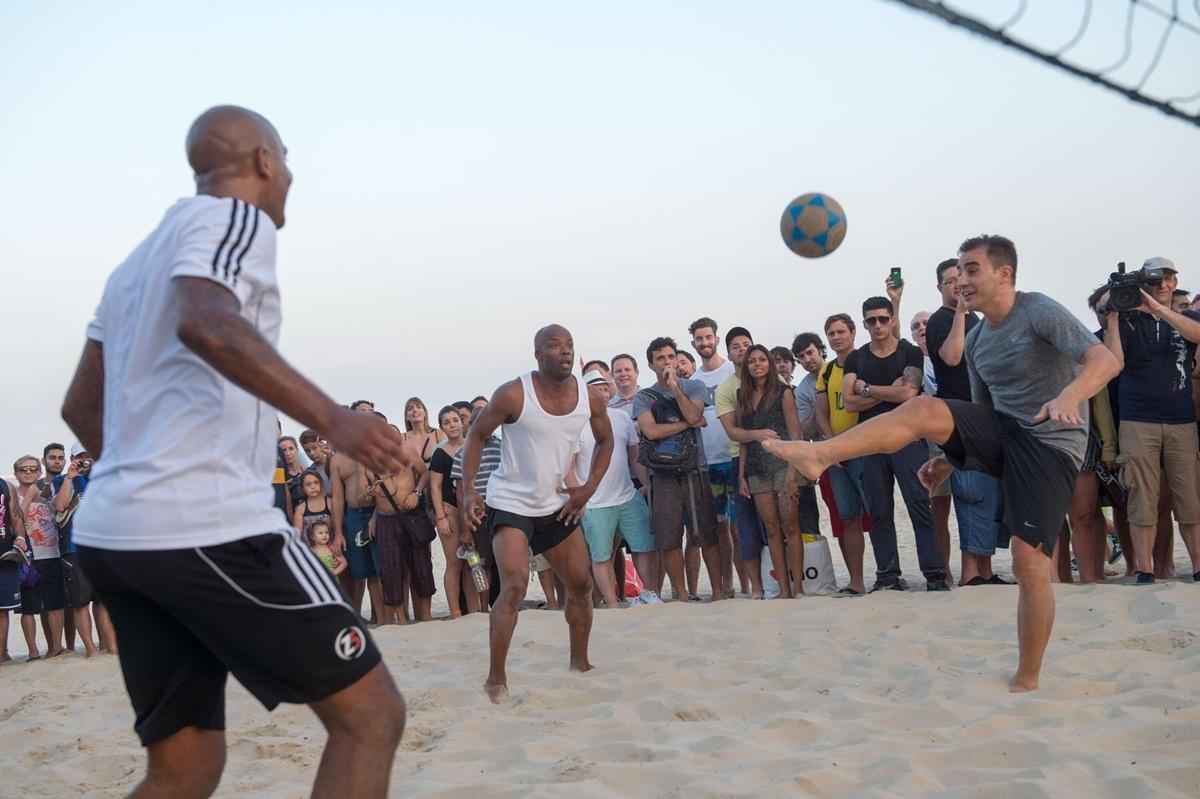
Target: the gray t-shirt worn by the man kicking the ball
(1027, 362)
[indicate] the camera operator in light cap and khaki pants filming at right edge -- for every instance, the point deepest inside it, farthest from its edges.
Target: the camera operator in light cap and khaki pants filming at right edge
(1159, 432)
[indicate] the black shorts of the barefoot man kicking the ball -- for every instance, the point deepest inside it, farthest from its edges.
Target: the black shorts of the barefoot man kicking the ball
(1037, 480)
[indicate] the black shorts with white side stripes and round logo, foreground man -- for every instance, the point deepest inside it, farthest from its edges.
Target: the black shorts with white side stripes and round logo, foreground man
(263, 609)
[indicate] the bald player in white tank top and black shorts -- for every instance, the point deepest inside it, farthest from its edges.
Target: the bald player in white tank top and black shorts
(529, 507)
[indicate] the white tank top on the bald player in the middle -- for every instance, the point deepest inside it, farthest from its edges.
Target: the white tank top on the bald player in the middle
(536, 454)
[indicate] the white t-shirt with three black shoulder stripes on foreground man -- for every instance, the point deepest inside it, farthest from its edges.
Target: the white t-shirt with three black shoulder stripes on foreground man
(189, 456)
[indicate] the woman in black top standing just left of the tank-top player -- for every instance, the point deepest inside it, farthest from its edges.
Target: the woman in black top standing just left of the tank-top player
(446, 513)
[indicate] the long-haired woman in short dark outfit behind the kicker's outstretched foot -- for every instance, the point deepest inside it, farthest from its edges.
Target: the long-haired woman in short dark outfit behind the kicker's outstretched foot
(765, 402)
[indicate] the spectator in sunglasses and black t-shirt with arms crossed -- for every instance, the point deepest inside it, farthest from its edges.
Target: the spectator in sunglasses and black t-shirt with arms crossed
(880, 376)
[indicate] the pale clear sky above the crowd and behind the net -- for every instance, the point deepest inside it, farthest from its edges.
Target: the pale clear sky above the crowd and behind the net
(467, 173)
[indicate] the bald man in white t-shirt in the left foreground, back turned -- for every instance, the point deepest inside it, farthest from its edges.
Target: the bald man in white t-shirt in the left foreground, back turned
(176, 397)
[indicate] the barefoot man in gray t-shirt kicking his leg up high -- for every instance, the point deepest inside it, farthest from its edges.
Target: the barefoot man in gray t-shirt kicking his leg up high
(1034, 369)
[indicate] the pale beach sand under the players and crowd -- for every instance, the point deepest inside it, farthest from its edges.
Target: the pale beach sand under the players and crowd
(892, 695)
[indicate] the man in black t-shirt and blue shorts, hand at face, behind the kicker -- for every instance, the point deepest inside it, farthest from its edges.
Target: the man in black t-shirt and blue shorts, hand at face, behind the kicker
(977, 496)
